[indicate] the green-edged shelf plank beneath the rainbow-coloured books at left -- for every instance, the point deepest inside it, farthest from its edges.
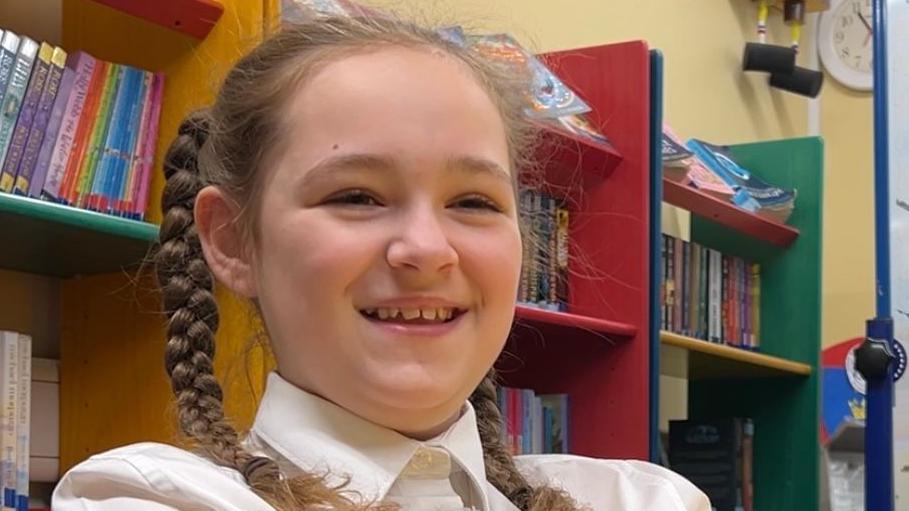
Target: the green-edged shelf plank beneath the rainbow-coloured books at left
(61, 241)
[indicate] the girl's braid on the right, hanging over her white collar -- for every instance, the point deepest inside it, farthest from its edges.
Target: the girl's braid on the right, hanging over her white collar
(501, 469)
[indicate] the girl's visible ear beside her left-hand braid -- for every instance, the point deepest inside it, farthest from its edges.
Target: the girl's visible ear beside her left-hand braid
(222, 241)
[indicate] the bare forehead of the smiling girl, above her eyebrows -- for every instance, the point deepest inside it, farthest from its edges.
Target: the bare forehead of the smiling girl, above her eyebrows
(396, 100)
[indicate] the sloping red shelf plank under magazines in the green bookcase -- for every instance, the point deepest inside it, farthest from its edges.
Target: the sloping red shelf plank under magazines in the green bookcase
(727, 214)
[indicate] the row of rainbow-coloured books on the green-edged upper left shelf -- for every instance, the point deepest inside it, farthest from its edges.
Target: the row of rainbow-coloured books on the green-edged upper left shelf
(75, 129)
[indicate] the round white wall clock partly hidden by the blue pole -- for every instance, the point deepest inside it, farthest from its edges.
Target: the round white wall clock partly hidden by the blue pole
(846, 44)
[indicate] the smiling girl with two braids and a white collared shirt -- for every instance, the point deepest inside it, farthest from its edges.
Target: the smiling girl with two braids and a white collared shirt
(356, 180)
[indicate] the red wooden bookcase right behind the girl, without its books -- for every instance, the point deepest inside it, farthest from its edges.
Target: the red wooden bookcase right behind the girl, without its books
(598, 351)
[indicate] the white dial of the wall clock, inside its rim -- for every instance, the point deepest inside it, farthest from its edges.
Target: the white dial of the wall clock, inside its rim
(852, 34)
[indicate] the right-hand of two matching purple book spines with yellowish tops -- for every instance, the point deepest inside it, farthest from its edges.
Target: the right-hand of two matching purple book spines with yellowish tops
(37, 131)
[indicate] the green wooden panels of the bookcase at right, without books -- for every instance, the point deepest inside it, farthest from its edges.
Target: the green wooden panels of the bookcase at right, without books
(785, 408)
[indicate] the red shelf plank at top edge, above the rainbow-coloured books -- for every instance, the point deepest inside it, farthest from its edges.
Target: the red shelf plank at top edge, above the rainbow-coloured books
(194, 18)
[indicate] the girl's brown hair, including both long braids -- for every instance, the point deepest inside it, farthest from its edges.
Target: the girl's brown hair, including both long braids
(226, 146)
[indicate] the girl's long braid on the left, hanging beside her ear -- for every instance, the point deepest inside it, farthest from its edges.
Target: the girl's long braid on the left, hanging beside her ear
(186, 284)
